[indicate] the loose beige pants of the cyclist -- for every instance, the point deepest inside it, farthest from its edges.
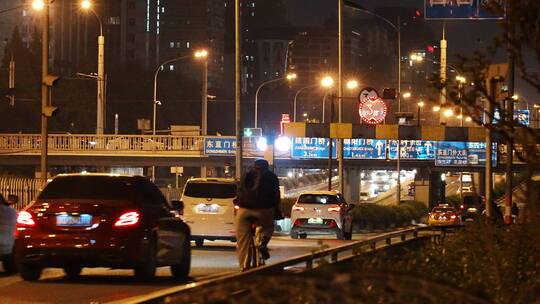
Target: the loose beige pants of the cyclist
(265, 220)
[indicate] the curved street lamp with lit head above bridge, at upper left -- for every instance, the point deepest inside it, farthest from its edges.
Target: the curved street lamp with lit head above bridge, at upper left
(100, 121)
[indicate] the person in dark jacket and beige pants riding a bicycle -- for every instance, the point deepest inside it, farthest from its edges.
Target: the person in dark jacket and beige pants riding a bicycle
(258, 198)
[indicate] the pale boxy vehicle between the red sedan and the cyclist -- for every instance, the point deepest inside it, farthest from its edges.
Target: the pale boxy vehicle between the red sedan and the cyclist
(209, 208)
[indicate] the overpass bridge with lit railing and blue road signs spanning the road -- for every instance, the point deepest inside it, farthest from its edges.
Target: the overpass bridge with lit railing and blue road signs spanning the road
(218, 152)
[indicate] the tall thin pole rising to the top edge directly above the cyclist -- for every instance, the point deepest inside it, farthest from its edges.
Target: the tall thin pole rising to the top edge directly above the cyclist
(237, 95)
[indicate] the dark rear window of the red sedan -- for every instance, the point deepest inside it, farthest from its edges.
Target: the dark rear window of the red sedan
(88, 187)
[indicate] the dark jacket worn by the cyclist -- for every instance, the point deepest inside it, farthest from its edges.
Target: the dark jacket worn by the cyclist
(258, 189)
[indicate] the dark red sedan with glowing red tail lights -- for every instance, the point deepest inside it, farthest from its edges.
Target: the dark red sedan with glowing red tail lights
(101, 220)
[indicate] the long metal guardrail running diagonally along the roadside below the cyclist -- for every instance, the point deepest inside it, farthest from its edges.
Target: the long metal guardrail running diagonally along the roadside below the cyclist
(171, 295)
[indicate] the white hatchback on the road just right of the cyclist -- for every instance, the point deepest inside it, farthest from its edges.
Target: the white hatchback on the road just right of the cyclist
(321, 212)
